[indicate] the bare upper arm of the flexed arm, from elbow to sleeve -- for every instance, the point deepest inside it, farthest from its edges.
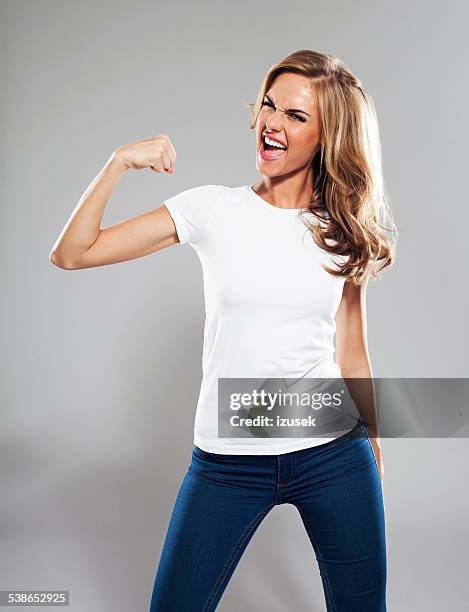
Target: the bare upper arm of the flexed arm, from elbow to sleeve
(136, 237)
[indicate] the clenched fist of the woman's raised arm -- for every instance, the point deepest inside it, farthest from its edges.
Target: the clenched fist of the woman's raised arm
(156, 153)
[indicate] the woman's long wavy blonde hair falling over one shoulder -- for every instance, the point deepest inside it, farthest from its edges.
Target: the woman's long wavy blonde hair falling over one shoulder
(349, 195)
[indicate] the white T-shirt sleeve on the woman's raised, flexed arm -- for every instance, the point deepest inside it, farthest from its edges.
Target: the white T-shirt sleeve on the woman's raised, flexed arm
(190, 211)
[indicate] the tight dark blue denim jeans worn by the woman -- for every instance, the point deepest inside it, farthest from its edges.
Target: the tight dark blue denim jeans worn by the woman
(223, 498)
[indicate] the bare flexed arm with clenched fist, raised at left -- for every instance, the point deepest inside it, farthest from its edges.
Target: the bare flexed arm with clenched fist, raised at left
(84, 244)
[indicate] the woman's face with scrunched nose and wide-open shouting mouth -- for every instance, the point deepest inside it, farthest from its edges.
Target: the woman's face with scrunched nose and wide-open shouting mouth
(280, 118)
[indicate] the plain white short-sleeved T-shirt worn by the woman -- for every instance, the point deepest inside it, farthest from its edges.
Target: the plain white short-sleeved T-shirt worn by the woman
(269, 304)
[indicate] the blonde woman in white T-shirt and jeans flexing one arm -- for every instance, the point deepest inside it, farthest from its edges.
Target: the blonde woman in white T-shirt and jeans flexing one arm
(286, 262)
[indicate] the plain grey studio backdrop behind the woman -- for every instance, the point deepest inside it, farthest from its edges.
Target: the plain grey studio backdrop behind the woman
(101, 367)
